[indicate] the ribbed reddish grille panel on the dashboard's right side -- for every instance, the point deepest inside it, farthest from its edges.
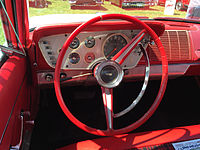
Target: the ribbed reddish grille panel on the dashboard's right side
(176, 44)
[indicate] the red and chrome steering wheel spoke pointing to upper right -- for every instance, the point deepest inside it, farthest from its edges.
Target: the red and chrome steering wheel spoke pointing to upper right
(125, 52)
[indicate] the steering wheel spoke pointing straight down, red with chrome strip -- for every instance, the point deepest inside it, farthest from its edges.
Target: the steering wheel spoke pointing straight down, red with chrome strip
(107, 95)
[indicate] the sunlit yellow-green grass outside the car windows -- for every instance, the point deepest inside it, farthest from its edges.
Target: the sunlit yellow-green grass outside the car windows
(63, 7)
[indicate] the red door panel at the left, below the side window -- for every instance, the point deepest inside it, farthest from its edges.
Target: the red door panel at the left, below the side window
(13, 98)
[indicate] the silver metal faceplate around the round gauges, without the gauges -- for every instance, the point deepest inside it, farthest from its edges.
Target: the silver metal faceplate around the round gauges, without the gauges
(57, 41)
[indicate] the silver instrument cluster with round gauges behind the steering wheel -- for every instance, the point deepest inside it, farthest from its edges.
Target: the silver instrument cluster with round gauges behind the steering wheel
(90, 48)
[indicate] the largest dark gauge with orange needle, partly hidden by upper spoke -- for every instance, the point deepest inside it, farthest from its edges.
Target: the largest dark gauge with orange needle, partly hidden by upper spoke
(113, 44)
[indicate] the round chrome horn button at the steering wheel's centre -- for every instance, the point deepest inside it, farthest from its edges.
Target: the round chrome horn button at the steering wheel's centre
(108, 74)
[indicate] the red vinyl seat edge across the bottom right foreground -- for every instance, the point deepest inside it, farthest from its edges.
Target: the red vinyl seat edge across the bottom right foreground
(138, 140)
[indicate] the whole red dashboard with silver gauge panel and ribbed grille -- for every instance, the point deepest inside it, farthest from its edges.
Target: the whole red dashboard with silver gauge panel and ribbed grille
(104, 39)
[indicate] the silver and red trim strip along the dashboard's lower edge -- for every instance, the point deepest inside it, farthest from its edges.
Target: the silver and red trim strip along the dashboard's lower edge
(174, 70)
